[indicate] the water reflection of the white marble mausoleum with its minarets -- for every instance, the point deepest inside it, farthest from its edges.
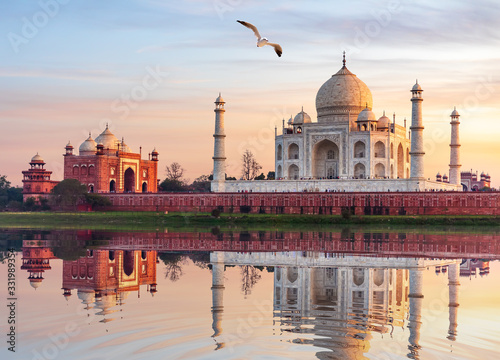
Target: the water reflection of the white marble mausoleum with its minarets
(336, 302)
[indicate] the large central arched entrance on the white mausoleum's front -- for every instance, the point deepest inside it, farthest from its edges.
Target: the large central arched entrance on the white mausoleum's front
(325, 160)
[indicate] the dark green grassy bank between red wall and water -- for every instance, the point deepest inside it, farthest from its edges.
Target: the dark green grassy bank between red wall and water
(144, 221)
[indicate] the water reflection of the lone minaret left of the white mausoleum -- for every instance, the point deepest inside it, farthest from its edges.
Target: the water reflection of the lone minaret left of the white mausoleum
(217, 262)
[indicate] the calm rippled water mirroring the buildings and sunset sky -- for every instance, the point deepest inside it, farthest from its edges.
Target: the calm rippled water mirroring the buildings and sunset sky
(253, 295)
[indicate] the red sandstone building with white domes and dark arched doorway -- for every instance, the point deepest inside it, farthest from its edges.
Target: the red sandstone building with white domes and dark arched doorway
(107, 164)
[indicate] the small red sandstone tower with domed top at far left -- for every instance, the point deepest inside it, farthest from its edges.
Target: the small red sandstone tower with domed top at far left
(36, 180)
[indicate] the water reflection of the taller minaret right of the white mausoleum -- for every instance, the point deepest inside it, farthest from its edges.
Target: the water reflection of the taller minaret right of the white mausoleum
(415, 299)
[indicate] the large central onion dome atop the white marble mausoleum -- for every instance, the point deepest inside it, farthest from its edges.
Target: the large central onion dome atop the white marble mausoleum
(342, 94)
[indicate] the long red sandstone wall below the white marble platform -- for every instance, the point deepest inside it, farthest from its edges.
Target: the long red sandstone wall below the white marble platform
(360, 203)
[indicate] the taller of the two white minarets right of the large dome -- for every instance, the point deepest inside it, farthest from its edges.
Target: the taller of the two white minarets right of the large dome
(417, 140)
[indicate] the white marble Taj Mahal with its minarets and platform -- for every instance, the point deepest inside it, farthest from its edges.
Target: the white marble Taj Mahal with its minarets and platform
(347, 148)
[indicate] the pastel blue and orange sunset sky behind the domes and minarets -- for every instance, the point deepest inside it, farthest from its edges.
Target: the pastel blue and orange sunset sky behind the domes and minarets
(152, 70)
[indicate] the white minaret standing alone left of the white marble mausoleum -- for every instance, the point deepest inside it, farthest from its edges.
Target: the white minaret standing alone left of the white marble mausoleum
(219, 176)
